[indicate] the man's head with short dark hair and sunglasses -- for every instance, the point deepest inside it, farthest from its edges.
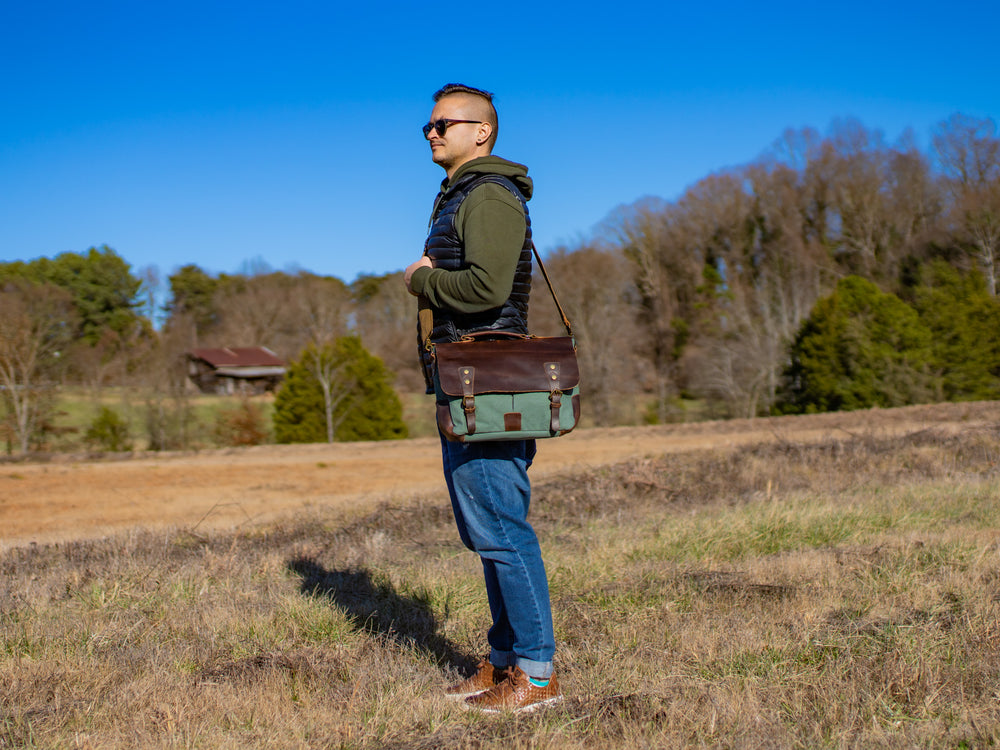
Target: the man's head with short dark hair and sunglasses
(463, 126)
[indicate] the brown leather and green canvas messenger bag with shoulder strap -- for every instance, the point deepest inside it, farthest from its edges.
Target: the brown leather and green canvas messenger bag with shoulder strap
(493, 385)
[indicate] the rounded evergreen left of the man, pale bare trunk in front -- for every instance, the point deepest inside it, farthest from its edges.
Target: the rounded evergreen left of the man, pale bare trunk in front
(337, 391)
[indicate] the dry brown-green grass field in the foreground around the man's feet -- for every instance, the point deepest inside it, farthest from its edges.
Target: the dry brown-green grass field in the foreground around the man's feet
(838, 594)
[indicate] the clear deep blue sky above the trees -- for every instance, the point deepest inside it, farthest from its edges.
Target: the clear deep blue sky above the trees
(228, 133)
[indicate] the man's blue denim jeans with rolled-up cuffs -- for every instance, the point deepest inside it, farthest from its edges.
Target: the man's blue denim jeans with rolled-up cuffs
(490, 495)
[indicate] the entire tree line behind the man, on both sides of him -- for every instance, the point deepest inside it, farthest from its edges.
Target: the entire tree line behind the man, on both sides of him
(836, 271)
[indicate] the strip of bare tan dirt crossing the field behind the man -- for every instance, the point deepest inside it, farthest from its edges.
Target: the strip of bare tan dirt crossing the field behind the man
(75, 498)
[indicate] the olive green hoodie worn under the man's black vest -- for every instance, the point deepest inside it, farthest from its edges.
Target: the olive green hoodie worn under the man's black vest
(491, 224)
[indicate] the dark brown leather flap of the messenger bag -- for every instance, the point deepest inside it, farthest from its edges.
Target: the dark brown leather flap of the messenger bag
(508, 365)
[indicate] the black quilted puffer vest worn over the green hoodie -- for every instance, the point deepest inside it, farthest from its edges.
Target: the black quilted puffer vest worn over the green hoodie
(445, 248)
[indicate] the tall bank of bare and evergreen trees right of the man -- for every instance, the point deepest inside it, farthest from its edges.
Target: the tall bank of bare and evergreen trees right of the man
(720, 294)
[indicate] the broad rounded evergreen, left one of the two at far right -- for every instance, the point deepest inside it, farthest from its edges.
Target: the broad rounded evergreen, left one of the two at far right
(859, 348)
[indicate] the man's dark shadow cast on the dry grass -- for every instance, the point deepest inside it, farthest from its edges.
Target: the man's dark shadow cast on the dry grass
(378, 609)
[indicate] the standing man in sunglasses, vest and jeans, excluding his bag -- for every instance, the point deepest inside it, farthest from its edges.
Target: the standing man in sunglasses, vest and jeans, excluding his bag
(475, 275)
